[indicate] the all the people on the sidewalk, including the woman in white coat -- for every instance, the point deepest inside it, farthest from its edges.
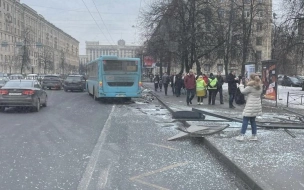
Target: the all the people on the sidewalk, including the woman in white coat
(200, 85)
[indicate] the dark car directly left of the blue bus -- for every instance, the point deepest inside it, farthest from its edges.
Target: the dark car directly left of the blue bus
(74, 82)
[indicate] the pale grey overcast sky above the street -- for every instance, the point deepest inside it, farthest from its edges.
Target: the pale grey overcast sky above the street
(115, 19)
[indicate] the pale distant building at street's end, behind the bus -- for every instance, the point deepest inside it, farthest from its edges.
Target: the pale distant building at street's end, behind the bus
(94, 50)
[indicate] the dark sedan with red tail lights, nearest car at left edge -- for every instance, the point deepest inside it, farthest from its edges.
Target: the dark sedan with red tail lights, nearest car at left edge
(22, 93)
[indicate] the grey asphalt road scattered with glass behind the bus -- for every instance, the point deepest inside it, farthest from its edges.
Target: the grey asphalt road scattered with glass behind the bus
(79, 143)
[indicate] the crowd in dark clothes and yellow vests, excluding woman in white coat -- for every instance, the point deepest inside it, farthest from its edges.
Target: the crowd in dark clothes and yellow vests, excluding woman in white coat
(201, 86)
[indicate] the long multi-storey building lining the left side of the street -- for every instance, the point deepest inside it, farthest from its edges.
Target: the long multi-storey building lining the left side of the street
(25, 32)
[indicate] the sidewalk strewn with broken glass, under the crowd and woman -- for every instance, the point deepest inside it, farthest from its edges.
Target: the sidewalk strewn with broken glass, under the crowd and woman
(275, 161)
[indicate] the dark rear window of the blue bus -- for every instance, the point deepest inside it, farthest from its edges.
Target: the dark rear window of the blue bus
(120, 65)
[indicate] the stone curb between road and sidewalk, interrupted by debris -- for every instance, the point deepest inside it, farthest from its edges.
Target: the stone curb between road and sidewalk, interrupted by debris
(247, 178)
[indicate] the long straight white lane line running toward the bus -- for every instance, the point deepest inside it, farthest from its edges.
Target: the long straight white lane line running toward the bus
(86, 177)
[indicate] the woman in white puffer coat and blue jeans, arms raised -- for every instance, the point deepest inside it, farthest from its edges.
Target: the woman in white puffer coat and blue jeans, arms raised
(253, 105)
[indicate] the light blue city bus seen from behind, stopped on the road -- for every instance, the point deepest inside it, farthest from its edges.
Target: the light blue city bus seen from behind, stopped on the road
(110, 77)
